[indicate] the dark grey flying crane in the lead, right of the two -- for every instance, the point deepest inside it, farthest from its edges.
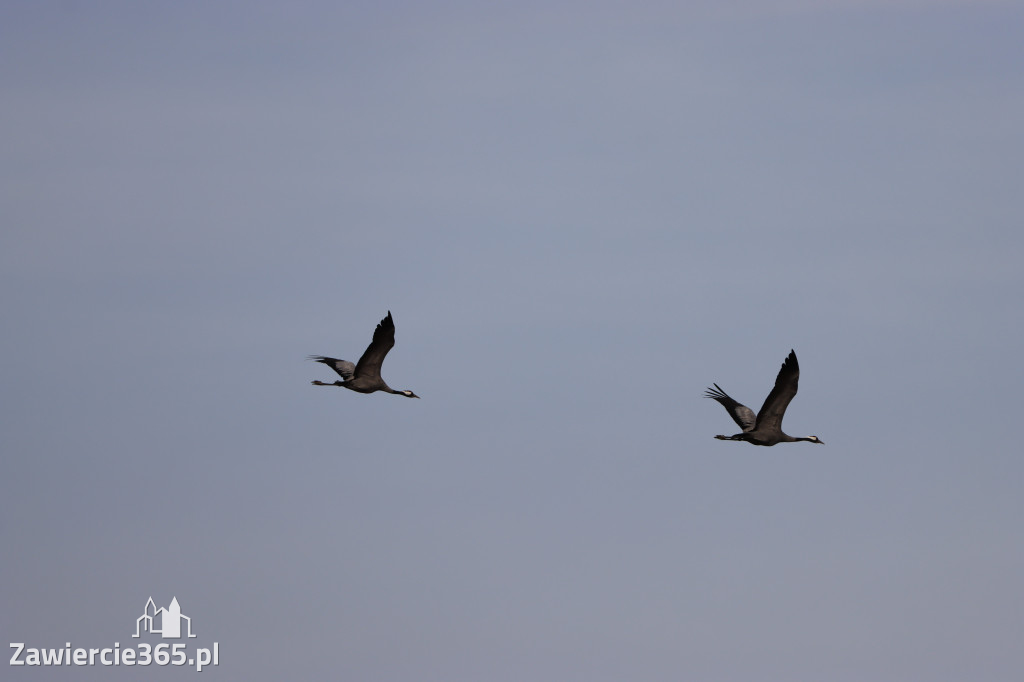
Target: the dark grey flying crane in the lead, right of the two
(765, 429)
